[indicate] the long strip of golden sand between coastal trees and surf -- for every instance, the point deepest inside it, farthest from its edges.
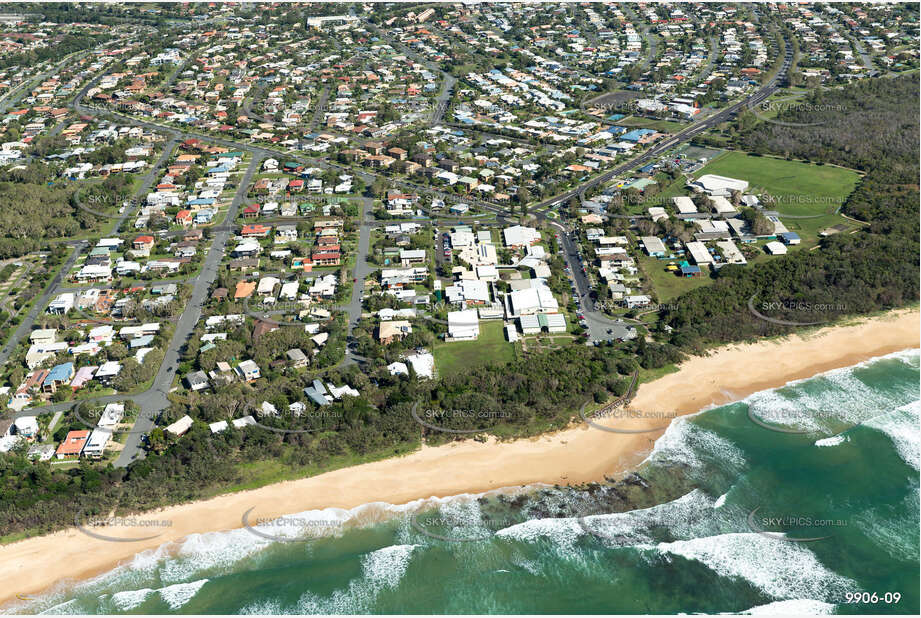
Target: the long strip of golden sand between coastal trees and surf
(573, 456)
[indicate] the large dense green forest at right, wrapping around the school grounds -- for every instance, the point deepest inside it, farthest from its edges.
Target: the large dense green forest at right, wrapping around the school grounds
(871, 126)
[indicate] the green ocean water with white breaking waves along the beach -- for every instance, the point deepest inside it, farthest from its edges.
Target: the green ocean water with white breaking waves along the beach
(801, 499)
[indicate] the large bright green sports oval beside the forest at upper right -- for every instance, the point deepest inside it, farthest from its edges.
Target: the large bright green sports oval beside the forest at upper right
(800, 188)
